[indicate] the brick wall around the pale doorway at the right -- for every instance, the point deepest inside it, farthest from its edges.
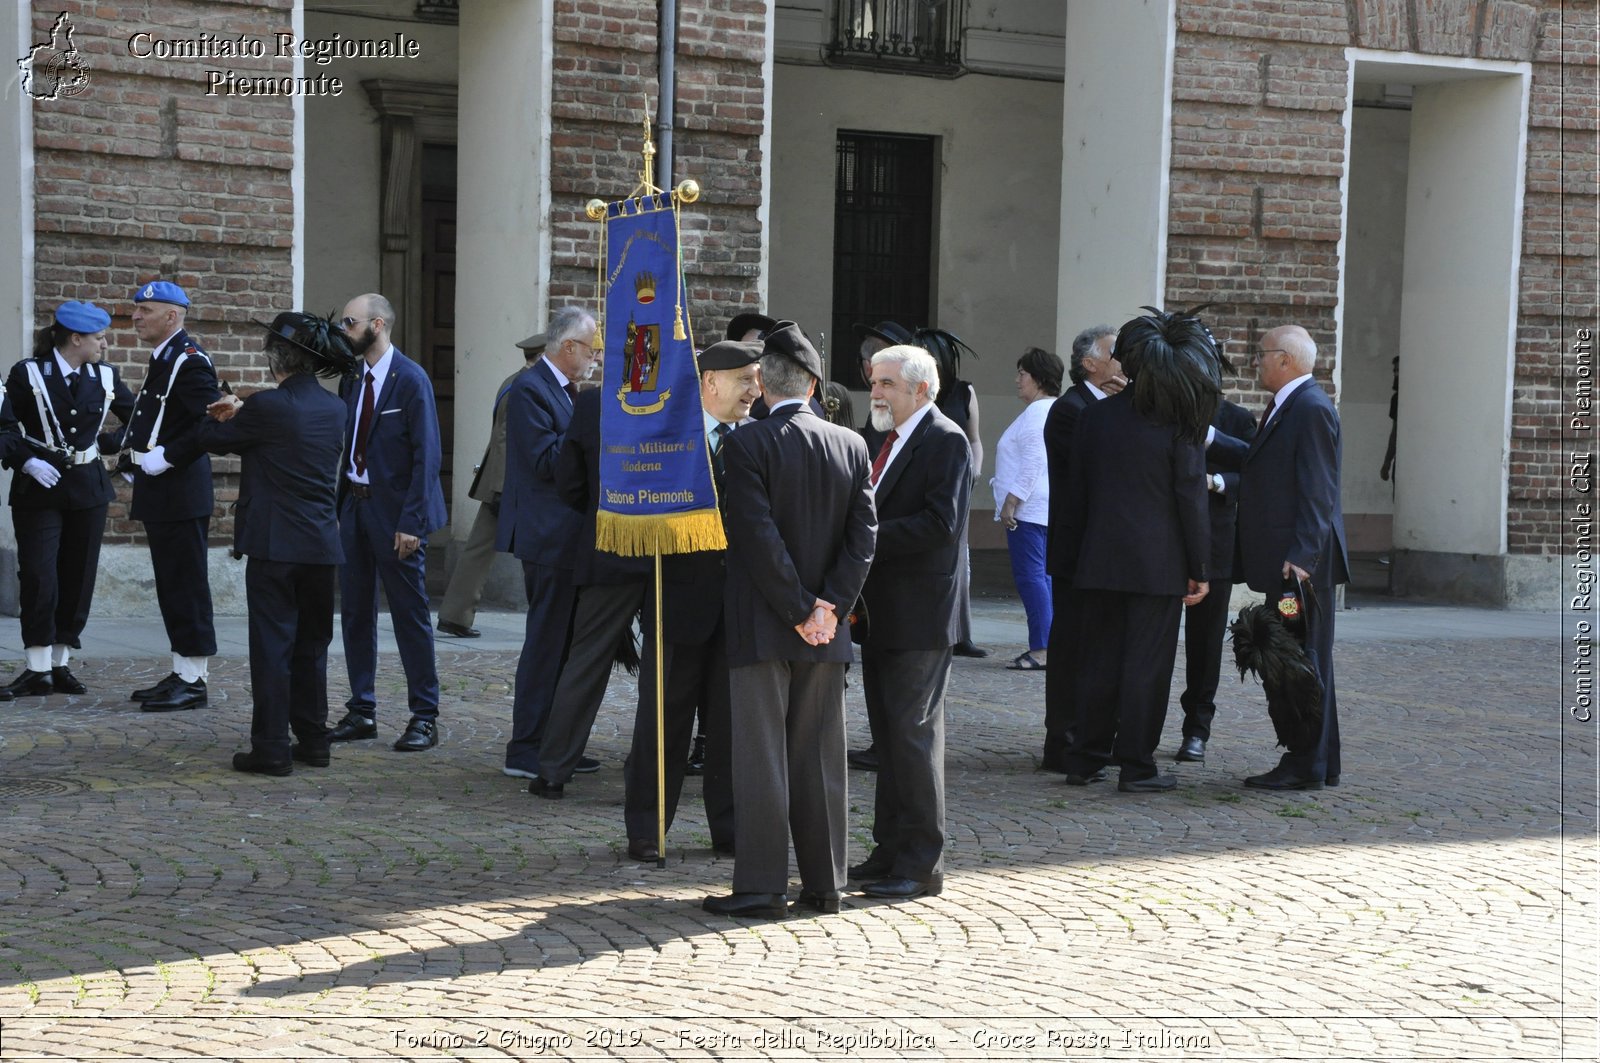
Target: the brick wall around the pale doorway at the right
(1258, 146)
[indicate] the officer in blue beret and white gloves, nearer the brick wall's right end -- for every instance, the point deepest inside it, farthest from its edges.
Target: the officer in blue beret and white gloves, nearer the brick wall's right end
(172, 489)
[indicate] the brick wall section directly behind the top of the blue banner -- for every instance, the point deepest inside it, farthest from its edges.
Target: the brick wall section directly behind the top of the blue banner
(604, 74)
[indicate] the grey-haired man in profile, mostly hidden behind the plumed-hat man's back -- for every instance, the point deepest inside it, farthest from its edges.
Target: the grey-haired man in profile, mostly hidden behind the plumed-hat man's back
(1095, 375)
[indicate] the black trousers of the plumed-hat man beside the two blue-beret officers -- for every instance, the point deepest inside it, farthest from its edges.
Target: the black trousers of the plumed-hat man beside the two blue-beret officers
(290, 630)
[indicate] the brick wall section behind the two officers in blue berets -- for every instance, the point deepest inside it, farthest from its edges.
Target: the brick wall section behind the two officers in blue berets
(146, 177)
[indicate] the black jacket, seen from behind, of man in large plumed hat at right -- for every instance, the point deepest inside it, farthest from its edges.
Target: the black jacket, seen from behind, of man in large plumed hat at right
(1137, 510)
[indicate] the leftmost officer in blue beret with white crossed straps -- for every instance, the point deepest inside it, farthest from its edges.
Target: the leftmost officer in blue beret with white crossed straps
(55, 407)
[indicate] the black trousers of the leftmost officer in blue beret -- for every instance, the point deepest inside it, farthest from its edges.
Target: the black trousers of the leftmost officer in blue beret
(57, 558)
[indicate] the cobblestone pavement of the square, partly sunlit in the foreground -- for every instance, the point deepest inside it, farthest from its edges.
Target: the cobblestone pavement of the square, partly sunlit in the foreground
(1439, 905)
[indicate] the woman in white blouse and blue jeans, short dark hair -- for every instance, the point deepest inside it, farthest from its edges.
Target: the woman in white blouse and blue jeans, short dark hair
(1022, 486)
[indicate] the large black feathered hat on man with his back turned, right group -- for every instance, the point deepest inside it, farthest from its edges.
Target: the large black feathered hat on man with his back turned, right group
(1175, 367)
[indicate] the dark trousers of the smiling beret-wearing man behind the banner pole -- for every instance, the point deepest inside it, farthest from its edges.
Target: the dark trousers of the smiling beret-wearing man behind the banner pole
(697, 676)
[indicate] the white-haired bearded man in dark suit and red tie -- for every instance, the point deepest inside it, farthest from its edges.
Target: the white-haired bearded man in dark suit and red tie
(922, 483)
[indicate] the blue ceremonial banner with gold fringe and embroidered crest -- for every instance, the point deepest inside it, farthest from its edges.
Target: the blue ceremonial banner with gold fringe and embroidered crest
(657, 492)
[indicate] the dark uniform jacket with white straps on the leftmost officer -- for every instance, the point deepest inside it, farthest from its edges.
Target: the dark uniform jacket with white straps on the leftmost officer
(82, 486)
